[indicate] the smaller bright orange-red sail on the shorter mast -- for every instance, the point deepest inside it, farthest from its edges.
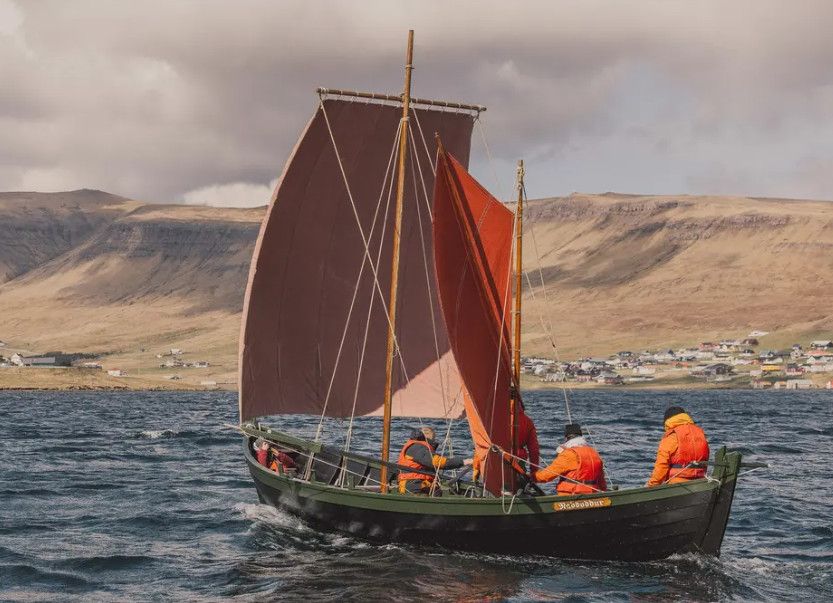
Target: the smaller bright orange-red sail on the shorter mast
(472, 255)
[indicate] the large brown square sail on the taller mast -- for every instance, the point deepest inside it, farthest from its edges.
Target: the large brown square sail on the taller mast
(304, 274)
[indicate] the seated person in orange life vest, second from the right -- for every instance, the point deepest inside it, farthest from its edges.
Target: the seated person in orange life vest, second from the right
(577, 466)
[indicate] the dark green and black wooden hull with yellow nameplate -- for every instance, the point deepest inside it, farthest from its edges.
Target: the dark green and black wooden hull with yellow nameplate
(629, 525)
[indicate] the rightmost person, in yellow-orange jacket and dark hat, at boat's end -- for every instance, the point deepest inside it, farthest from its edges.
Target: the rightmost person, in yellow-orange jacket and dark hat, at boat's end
(684, 443)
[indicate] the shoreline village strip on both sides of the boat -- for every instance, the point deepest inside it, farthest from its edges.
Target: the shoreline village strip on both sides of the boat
(728, 363)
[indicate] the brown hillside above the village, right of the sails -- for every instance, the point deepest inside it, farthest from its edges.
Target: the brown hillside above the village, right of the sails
(634, 272)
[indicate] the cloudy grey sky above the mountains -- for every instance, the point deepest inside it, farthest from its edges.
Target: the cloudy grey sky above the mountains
(201, 101)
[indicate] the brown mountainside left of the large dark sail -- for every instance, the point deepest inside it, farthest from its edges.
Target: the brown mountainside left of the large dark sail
(91, 272)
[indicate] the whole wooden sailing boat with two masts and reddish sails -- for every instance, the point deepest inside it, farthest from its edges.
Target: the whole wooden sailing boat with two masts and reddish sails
(341, 286)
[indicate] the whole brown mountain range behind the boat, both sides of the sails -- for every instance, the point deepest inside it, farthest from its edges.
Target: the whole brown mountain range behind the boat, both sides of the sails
(86, 271)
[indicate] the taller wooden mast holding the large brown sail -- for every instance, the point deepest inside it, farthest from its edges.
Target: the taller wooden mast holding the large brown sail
(394, 269)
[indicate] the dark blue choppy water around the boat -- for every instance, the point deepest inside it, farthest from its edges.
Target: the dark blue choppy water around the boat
(145, 496)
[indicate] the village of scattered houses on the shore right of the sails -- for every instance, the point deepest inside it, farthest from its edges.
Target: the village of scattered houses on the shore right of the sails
(730, 363)
